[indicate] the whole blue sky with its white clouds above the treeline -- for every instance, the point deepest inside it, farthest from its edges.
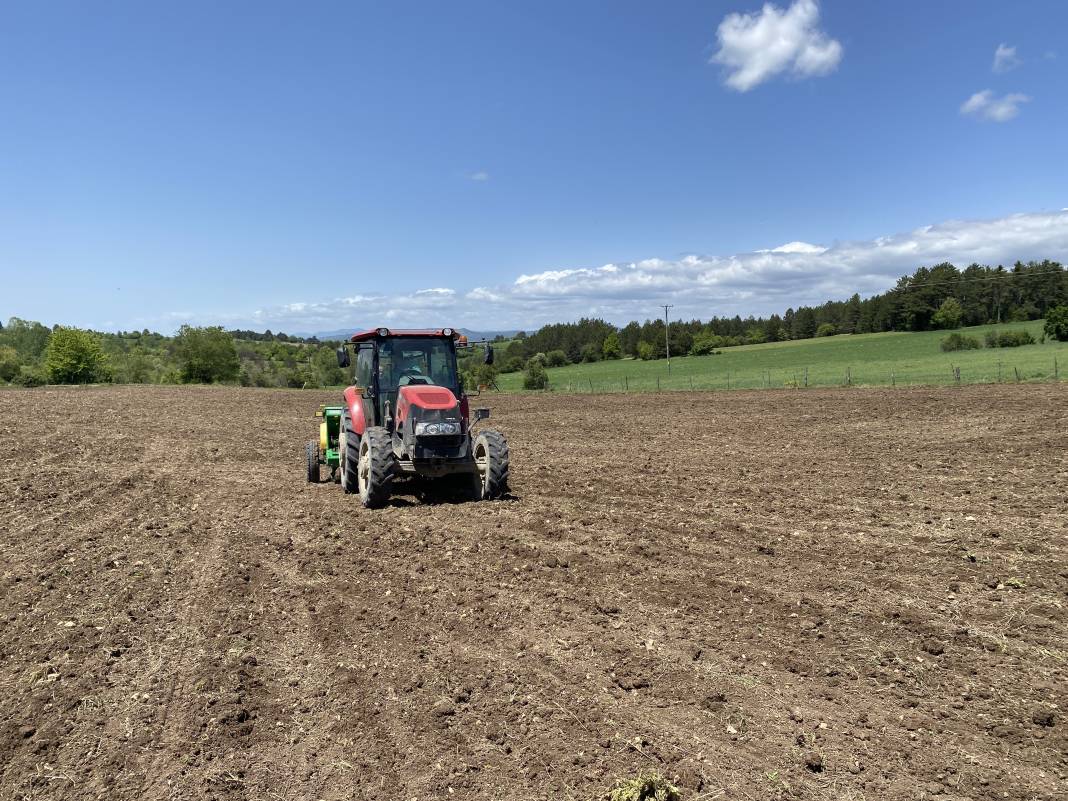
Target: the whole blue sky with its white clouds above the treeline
(312, 166)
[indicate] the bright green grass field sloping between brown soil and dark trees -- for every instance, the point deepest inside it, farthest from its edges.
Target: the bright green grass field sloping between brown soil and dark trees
(869, 360)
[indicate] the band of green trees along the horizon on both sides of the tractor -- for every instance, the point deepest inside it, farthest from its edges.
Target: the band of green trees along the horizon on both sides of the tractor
(33, 354)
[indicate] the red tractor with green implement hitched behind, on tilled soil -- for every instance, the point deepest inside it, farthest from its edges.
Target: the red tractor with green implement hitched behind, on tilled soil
(407, 415)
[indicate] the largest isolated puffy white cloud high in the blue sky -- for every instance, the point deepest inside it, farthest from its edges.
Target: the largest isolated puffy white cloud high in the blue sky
(756, 48)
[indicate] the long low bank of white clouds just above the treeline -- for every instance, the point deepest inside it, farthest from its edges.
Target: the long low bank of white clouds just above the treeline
(763, 281)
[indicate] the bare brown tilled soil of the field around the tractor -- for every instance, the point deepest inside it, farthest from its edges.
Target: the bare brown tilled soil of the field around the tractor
(814, 595)
